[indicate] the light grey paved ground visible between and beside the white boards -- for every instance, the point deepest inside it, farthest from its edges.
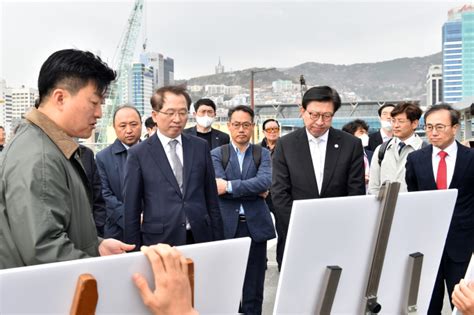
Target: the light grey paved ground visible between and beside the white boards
(271, 282)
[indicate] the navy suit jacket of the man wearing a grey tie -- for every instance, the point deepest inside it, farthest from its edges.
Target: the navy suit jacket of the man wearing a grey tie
(151, 188)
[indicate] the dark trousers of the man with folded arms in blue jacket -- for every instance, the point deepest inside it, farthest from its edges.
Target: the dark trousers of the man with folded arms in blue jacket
(252, 296)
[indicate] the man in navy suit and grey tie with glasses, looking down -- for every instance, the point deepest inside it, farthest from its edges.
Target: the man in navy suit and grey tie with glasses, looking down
(170, 179)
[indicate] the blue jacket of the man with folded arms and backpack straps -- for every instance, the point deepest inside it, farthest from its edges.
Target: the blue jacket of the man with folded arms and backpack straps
(246, 186)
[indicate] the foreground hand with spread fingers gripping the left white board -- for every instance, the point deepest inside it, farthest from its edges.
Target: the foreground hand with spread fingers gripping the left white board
(172, 294)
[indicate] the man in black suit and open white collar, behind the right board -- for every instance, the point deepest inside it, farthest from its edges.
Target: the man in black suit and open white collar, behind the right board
(316, 161)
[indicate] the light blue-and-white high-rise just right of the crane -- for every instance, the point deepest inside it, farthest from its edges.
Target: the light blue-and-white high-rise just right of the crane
(141, 86)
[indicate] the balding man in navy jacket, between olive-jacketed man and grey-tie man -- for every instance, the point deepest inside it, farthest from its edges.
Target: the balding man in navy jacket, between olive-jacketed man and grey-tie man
(111, 163)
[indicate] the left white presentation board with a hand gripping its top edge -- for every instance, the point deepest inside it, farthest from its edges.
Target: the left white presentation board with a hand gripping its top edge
(219, 269)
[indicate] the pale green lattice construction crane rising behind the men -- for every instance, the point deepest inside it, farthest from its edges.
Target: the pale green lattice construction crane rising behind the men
(121, 62)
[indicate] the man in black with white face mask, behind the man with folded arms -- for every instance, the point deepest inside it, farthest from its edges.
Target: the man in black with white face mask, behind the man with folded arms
(205, 113)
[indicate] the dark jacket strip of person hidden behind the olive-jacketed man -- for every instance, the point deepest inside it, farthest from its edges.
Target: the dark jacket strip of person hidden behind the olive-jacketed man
(95, 185)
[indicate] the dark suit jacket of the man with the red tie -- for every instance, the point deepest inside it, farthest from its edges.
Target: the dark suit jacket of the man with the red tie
(419, 176)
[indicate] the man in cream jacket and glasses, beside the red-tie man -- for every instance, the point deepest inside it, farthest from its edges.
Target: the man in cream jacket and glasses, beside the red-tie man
(405, 118)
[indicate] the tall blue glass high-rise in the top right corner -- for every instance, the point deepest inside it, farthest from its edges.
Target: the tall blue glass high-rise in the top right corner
(458, 54)
